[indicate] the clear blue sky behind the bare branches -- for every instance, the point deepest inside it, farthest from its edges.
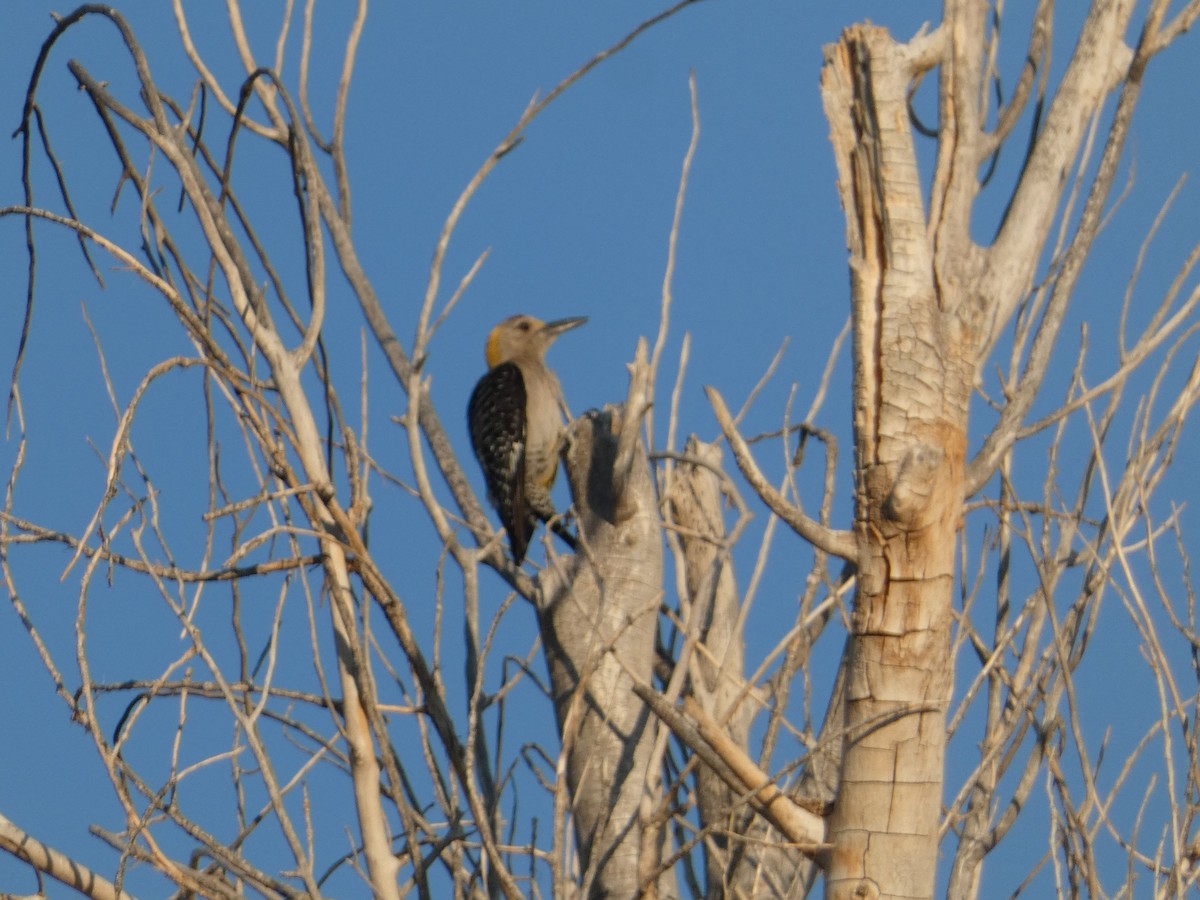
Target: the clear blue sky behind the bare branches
(577, 223)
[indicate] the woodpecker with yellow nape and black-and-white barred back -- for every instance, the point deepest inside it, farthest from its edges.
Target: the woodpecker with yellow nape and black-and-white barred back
(517, 425)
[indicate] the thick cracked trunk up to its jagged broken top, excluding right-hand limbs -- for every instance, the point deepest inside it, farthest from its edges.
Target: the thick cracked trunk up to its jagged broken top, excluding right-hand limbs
(913, 381)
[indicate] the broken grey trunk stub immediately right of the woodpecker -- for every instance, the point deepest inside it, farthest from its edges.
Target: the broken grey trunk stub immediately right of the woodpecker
(598, 613)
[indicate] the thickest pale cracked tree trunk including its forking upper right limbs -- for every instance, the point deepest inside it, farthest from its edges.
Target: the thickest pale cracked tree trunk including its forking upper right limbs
(927, 307)
